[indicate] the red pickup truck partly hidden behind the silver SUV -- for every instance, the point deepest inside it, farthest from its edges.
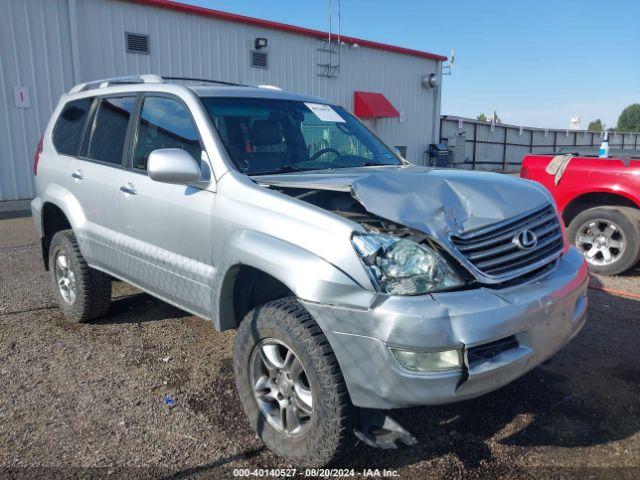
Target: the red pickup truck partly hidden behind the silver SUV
(599, 199)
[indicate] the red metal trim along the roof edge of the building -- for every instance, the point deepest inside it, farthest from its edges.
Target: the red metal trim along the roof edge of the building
(233, 17)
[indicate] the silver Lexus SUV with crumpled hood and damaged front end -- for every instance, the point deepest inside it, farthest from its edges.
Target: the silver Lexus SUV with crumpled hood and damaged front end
(357, 282)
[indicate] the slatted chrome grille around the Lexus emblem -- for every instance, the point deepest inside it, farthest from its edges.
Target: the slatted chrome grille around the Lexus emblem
(495, 253)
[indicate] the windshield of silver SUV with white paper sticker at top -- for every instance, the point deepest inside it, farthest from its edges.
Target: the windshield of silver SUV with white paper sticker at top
(265, 135)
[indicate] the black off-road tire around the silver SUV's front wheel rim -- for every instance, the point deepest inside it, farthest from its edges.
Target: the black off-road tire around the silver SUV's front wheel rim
(330, 434)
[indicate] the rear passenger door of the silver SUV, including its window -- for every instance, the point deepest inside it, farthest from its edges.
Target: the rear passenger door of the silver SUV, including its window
(94, 176)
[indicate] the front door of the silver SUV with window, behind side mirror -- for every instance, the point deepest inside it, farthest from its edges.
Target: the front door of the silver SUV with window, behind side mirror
(166, 230)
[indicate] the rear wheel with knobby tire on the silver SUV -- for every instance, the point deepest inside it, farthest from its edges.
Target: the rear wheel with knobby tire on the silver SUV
(81, 292)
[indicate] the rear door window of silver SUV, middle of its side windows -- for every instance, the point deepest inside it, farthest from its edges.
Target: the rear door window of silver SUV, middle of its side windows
(105, 140)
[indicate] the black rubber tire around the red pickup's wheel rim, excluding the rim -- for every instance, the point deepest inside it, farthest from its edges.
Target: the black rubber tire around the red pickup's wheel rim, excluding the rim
(628, 220)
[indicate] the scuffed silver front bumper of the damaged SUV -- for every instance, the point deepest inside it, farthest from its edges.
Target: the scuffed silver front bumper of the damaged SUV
(543, 315)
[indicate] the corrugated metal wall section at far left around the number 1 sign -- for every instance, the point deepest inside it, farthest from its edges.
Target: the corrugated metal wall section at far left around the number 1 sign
(34, 53)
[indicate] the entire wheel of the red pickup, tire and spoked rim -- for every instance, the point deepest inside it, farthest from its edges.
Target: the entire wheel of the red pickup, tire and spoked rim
(597, 224)
